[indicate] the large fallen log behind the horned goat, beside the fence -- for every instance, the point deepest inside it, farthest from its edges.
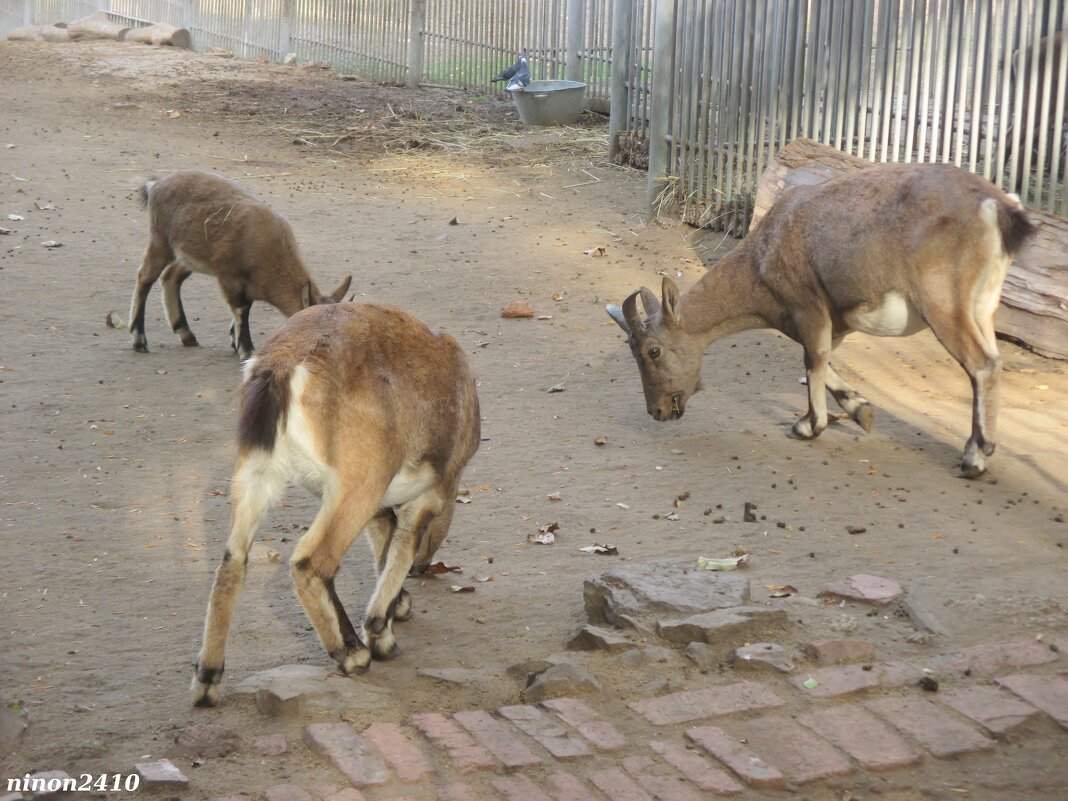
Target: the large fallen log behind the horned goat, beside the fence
(1034, 308)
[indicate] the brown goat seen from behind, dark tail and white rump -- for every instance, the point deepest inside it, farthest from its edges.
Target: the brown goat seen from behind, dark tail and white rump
(375, 415)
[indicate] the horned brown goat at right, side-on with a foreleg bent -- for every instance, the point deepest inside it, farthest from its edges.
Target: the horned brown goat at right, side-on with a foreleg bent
(888, 250)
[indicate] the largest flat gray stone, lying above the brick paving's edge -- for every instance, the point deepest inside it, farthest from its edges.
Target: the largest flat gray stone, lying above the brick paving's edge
(637, 595)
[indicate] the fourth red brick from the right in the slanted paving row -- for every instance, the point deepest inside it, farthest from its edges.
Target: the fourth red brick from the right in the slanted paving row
(863, 736)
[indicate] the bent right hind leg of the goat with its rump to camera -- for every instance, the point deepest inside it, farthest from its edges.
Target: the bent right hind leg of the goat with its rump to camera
(315, 564)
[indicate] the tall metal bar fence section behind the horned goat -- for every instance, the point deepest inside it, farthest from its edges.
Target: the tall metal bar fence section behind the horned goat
(980, 84)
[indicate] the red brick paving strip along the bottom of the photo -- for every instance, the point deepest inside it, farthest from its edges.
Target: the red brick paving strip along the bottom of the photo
(716, 742)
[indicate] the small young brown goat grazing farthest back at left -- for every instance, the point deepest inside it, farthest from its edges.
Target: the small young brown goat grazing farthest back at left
(202, 223)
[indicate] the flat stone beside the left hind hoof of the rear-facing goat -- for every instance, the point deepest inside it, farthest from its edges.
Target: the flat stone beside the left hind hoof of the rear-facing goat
(296, 690)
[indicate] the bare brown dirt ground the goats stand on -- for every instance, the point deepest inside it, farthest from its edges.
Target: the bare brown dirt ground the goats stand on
(114, 493)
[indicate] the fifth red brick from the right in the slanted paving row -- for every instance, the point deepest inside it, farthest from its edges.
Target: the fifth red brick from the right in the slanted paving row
(800, 756)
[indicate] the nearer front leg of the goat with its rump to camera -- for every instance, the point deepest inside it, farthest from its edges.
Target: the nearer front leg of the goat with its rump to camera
(414, 521)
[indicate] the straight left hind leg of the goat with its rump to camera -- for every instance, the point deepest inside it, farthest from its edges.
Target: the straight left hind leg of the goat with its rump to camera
(258, 483)
